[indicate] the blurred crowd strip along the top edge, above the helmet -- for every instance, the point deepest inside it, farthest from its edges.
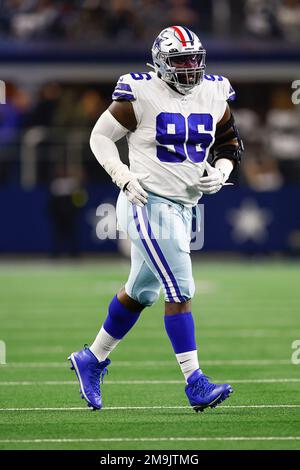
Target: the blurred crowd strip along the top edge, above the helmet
(130, 20)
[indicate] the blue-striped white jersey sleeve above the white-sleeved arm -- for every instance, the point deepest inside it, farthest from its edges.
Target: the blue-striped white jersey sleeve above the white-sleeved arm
(126, 89)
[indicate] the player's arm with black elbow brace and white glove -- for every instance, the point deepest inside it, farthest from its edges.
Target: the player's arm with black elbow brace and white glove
(227, 150)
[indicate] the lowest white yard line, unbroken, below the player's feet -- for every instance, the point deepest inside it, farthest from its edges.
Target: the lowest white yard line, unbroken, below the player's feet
(152, 439)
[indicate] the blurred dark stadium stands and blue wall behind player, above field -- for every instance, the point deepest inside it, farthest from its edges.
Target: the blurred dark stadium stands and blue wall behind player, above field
(60, 61)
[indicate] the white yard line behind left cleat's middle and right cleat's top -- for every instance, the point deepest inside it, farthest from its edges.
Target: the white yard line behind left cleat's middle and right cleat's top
(145, 382)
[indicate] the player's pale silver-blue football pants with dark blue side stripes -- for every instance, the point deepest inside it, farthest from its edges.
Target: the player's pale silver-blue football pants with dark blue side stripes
(160, 234)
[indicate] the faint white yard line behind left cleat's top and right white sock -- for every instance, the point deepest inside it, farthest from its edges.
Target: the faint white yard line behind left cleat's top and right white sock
(217, 362)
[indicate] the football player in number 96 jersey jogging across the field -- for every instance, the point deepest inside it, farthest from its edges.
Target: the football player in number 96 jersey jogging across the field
(173, 117)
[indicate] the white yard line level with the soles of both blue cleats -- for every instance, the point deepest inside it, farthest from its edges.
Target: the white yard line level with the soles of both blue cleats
(158, 407)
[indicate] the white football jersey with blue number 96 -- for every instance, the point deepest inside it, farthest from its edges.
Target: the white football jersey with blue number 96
(174, 132)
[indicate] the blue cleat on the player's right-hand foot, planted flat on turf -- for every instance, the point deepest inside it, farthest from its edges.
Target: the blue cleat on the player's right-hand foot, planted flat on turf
(203, 394)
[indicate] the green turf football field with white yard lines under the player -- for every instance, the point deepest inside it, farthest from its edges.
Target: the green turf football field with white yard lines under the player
(246, 315)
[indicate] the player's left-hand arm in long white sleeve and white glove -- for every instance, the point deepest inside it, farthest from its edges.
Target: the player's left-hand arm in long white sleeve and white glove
(112, 125)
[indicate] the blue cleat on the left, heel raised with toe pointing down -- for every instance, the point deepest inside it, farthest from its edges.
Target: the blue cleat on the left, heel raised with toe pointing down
(89, 371)
